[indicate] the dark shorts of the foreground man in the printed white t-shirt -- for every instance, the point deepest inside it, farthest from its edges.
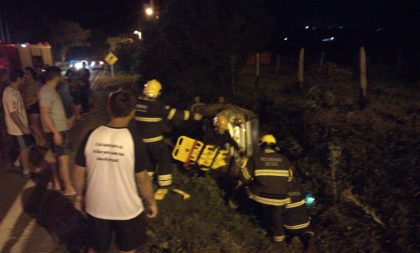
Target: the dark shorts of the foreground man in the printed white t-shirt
(129, 234)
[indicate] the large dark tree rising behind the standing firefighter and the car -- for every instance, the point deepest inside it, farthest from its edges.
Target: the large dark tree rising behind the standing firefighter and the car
(201, 44)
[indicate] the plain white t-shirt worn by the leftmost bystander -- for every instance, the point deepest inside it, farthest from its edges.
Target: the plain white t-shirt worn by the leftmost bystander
(13, 102)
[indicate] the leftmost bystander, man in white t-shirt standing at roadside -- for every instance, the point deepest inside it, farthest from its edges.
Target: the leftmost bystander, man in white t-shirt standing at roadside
(17, 120)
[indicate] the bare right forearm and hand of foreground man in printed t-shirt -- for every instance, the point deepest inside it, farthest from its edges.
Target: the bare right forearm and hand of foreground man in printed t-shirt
(144, 185)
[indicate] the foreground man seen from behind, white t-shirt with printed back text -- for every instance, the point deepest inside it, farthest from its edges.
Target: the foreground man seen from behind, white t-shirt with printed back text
(116, 162)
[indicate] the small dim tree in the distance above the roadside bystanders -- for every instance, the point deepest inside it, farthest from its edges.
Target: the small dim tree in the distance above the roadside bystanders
(66, 35)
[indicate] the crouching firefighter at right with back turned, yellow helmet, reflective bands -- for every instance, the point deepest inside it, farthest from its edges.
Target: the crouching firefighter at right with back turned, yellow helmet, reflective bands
(268, 180)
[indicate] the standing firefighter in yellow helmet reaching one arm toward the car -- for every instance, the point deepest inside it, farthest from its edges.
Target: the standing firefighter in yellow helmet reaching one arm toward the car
(150, 115)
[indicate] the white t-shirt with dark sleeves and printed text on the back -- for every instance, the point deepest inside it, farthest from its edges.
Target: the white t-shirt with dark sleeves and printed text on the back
(112, 156)
